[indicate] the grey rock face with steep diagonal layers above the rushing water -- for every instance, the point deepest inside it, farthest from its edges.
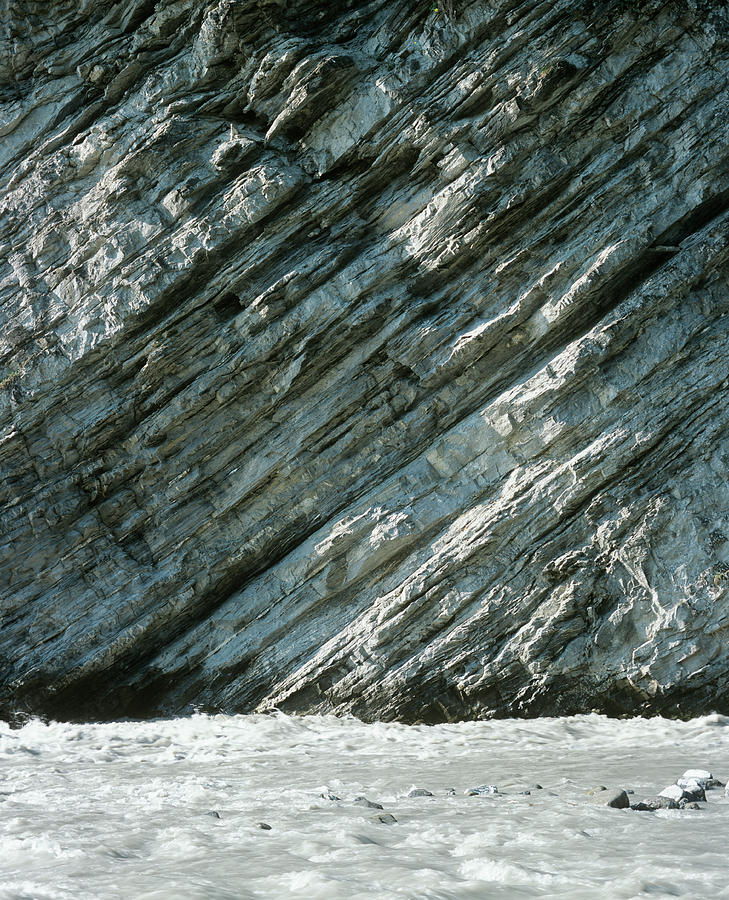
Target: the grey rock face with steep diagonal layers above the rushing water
(363, 357)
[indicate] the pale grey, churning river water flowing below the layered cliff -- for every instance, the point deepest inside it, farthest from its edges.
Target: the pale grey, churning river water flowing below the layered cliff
(122, 810)
